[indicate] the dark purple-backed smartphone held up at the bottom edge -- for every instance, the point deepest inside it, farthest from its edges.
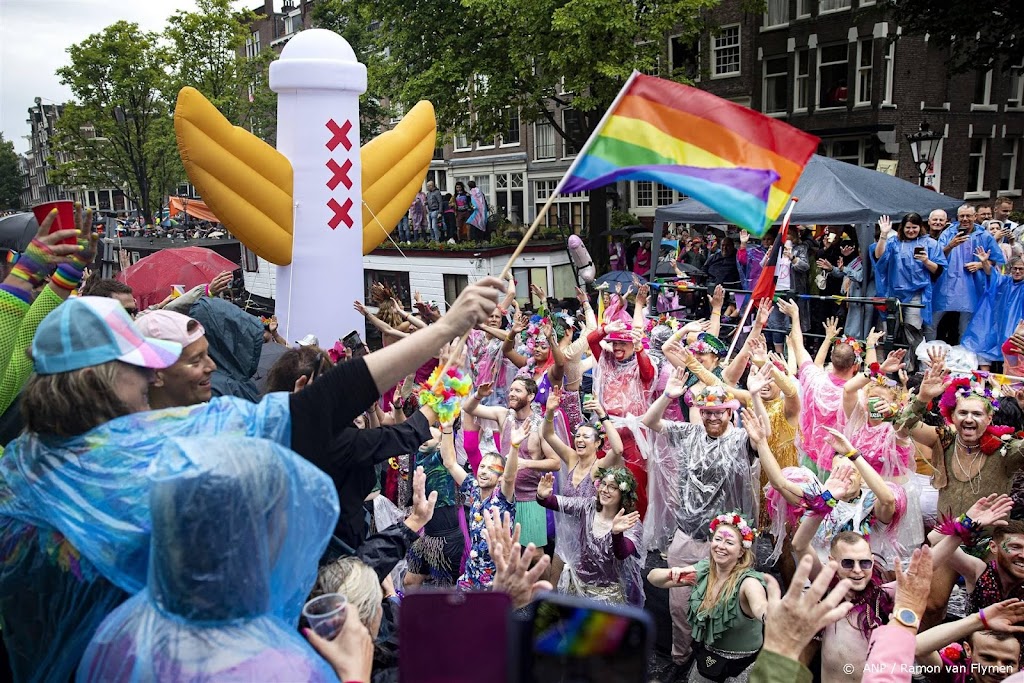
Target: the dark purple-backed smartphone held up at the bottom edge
(474, 647)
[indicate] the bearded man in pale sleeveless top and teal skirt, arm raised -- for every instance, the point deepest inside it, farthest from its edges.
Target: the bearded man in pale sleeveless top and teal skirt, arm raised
(536, 457)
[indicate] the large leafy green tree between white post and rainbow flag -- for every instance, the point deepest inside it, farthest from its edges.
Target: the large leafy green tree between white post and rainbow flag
(476, 60)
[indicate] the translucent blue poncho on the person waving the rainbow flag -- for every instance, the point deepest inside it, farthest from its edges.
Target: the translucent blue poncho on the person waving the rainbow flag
(75, 524)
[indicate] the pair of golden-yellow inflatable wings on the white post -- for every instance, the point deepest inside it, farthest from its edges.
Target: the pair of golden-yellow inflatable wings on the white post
(248, 185)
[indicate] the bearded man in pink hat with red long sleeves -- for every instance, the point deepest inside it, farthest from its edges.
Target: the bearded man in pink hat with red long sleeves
(623, 379)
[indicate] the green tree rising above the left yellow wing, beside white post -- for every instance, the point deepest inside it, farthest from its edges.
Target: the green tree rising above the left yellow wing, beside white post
(208, 52)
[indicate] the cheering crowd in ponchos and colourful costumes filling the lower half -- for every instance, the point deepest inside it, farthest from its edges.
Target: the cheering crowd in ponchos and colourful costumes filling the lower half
(495, 448)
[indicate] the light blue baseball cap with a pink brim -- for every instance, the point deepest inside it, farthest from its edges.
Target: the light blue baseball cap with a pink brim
(91, 331)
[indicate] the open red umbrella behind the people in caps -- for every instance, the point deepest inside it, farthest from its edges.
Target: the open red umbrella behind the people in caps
(153, 277)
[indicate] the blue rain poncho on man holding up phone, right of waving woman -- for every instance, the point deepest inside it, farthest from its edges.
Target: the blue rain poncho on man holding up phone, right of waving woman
(958, 289)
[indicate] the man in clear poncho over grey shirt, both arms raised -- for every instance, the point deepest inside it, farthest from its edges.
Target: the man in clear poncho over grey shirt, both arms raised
(712, 466)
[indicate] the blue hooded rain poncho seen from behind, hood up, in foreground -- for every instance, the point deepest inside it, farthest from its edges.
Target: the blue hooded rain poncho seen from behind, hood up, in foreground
(238, 528)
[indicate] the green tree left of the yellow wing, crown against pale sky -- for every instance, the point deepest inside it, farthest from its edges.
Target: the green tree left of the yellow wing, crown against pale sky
(118, 132)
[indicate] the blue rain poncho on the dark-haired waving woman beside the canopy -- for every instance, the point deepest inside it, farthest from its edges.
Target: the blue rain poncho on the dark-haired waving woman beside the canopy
(900, 276)
